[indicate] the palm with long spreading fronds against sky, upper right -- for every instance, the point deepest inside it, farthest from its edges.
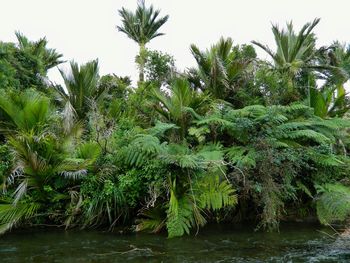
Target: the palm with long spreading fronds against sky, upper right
(295, 61)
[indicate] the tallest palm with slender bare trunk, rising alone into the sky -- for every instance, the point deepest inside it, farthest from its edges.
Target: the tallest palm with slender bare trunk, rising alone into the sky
(141, 26)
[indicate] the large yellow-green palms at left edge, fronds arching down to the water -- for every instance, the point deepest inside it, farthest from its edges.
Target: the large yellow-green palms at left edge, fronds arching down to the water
(41, 155)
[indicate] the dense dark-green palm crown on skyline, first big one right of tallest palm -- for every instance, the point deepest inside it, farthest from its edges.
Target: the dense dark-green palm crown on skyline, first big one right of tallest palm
(222, 68)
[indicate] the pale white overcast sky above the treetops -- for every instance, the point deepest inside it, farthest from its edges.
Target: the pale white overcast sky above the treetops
(83, 30)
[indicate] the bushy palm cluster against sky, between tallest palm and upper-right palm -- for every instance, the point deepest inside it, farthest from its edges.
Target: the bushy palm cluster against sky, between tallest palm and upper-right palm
(224, 70)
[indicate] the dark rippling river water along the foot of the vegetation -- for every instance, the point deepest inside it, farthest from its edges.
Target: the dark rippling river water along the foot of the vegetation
(294, 243)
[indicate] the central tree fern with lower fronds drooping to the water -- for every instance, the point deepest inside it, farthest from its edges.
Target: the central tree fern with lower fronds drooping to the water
(188, 197)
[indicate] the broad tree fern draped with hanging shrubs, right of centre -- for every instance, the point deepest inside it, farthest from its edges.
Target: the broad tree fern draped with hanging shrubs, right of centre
(269, 148)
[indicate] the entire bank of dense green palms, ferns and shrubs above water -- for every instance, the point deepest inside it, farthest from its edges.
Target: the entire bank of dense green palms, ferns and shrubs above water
(235, 138)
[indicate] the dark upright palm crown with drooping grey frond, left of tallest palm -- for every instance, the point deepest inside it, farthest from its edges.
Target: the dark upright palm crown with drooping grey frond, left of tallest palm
(82, 88)
